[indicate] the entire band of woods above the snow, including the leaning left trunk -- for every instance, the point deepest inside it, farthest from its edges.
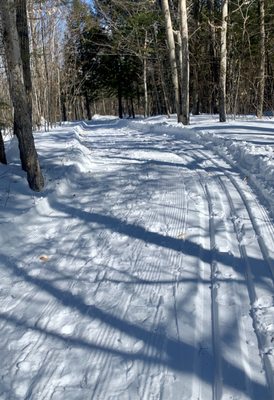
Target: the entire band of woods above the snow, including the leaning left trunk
(77, 58)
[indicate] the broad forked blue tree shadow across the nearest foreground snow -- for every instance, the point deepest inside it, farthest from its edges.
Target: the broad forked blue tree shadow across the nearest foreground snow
(169, 352)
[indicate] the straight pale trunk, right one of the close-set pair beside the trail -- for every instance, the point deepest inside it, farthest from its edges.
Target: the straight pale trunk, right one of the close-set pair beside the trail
(184, 61)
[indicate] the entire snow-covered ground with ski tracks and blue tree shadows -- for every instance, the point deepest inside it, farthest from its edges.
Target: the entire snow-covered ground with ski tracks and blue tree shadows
(144, 270)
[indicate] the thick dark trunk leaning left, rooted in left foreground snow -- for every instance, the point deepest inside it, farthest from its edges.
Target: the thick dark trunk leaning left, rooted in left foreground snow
(18, 92)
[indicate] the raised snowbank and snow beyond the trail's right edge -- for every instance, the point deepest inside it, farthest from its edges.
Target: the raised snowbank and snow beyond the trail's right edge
(247, 143)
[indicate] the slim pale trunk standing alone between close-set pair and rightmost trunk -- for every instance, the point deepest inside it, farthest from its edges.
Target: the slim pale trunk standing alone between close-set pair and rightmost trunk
(223, 63)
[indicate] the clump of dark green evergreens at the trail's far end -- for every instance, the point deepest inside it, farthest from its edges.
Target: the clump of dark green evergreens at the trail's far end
(98, 60)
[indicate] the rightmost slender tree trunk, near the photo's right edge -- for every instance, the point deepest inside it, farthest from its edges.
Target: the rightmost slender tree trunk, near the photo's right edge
(262, 61)
